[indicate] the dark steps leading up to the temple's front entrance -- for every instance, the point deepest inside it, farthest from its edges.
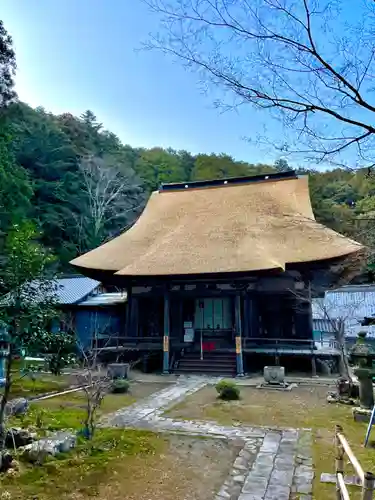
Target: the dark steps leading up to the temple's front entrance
(213, 363)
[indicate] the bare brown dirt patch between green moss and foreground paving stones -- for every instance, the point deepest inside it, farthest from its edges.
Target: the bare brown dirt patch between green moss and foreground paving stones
(189, 469)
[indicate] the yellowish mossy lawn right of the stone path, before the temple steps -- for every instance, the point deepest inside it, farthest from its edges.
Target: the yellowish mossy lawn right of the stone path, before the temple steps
(303, 407)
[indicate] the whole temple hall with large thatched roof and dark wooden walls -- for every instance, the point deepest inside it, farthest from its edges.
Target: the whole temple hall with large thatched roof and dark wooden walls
(220, 274)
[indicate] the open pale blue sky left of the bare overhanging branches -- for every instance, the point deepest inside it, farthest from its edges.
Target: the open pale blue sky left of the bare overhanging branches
(74, 55)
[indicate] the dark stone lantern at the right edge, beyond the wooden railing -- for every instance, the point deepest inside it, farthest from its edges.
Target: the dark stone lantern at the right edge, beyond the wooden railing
(361, 355)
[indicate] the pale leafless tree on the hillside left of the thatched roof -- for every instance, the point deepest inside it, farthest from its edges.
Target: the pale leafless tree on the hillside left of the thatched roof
(113, 197)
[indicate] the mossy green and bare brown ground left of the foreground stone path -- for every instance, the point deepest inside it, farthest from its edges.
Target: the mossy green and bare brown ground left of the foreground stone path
(128, 465)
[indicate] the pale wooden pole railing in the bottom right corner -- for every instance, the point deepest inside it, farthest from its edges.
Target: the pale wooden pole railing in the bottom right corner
(367, 479)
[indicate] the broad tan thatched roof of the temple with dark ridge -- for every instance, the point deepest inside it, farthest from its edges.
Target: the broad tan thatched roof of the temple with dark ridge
(232, 227)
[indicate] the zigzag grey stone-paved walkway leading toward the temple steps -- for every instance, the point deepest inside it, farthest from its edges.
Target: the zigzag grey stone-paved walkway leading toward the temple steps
(273, 464)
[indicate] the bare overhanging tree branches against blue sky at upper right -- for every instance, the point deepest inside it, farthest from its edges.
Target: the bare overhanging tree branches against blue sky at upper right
(310, 63)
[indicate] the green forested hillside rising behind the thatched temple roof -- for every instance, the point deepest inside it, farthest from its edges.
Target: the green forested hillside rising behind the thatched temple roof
(81, 185)
